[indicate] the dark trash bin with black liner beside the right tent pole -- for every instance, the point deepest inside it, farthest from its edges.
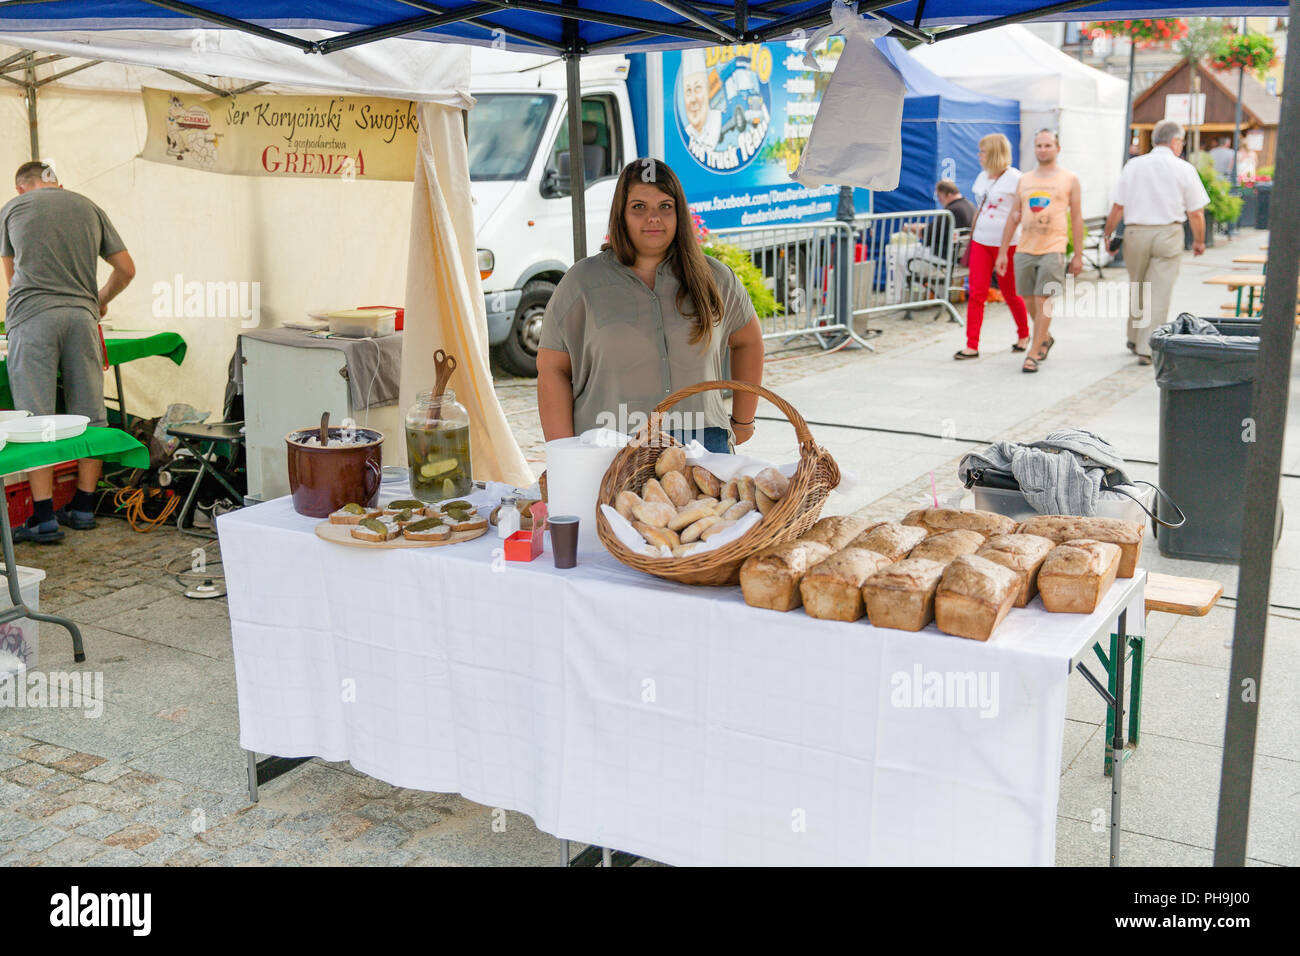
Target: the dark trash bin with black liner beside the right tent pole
(1206, 373)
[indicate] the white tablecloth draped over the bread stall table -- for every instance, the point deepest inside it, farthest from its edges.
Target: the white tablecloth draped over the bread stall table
(673, 723)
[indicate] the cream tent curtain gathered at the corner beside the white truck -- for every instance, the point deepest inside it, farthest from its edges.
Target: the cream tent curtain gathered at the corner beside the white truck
(445, 301)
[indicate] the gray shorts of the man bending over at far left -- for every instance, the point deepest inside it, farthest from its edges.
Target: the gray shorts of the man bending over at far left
(66, 340)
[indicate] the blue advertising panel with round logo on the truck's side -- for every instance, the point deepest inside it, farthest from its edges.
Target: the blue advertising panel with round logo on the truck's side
(738, 124)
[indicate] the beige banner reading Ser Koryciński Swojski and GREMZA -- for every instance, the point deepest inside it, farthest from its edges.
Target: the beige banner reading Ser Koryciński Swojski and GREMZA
(300, 137)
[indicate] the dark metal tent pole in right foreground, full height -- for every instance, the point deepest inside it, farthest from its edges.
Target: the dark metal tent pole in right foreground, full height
(1263, 475)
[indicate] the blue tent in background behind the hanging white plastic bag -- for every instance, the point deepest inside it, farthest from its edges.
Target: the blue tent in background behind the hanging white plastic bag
(942, 127)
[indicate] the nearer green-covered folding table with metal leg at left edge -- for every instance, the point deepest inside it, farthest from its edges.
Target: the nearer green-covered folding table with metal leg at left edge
(106, 444)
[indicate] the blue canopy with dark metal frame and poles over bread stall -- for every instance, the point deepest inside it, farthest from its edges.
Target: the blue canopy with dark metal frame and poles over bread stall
(577, 28)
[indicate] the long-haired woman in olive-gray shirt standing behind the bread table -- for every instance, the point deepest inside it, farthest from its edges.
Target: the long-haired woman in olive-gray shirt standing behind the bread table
(648, 315)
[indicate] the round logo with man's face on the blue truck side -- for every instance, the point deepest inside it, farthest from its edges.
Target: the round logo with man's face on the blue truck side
(723, 105)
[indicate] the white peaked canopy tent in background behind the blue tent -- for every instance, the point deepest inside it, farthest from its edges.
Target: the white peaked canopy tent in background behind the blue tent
(1085, 106)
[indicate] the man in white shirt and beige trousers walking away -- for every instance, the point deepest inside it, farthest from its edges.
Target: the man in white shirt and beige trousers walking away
(1155, 196)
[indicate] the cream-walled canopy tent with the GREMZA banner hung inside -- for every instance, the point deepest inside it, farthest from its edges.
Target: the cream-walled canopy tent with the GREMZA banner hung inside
(307, 244)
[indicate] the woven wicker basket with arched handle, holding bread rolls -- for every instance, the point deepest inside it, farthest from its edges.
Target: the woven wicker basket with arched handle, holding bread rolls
(794, 516)
